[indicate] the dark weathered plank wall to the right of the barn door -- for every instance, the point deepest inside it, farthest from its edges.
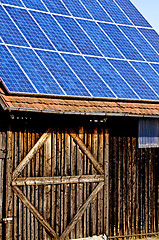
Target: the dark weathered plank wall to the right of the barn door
(134, 175)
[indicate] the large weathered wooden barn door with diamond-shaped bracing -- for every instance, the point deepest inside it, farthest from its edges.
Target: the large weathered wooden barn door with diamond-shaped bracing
(55, 183)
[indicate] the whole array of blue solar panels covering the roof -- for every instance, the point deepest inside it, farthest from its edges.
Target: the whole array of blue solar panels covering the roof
(88, 48)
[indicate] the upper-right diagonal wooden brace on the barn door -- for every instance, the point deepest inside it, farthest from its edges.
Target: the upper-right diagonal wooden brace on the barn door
(86, 151)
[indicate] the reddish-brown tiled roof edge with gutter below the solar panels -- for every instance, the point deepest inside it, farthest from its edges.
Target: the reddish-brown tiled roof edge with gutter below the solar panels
(78, 106)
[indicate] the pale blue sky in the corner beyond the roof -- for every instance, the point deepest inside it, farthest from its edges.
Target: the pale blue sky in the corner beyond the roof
(150, 10)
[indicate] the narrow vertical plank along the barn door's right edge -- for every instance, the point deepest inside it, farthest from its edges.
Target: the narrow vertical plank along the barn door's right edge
(106, 182)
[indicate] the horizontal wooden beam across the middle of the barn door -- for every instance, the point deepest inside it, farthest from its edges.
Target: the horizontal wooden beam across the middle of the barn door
(57, 180)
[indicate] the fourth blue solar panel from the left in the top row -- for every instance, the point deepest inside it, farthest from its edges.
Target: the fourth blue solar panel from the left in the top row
(77, 9)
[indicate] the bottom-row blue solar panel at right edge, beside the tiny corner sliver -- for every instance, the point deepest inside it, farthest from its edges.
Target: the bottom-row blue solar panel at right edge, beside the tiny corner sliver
(149, 74)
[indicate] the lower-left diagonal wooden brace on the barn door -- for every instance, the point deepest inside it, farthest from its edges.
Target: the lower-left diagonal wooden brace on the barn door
(35, 212)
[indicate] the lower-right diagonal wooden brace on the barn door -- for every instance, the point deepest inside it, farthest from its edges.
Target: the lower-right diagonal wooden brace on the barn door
(81, 210)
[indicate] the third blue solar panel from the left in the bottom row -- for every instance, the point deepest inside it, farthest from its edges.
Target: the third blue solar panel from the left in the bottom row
(60, 70)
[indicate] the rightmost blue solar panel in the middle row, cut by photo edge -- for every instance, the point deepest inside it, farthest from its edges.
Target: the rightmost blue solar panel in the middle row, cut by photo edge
(152, 36)
